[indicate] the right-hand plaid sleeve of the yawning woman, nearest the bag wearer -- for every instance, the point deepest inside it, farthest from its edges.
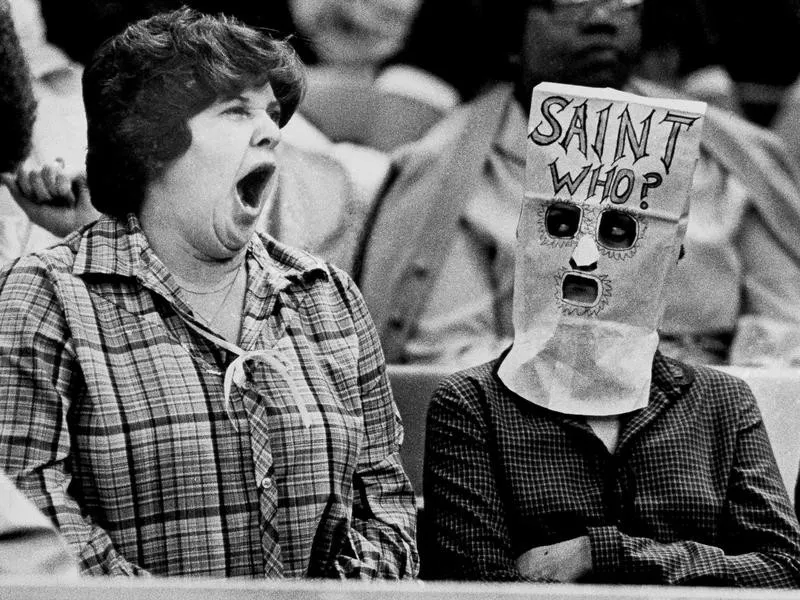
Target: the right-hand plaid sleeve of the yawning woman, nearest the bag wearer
(381, 542)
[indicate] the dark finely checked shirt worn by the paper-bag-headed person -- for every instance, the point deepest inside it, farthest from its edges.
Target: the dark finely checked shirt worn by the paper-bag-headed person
(692, 494)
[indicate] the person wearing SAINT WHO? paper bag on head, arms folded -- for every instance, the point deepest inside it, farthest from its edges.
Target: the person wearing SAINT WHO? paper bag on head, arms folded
(592, 457)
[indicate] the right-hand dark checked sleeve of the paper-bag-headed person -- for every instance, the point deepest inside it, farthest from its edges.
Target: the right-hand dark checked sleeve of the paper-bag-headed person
(760, 541)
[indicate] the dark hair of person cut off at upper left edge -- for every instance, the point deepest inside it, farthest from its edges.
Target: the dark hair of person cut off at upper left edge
(17, 103)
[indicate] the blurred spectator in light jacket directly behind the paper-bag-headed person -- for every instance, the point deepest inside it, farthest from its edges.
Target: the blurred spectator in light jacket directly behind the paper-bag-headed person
(742, 264)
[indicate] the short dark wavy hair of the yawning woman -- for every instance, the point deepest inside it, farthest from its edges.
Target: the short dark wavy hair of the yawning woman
(142, 86)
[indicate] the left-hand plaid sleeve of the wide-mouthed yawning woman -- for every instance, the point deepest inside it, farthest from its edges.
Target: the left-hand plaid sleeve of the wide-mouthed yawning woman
(40, 379)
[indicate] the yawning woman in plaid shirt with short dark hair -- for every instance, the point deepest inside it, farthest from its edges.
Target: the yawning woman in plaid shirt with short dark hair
(182, 395)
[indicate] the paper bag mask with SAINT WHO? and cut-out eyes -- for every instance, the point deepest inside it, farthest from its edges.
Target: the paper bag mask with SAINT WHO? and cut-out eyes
(606, 205)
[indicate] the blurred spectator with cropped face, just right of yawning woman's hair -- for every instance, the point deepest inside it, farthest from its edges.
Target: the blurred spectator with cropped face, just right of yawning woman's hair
(358, 91)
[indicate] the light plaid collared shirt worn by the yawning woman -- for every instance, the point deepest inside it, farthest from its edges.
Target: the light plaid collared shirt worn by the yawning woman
(113, 418)
